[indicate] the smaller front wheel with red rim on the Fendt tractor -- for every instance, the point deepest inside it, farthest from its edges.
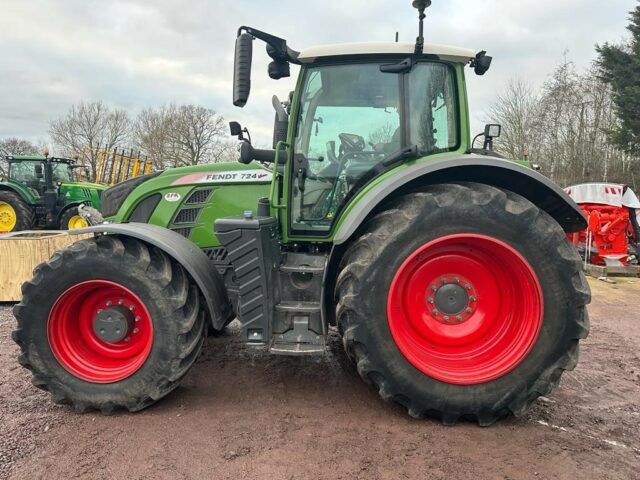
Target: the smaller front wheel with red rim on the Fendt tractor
(109, 323)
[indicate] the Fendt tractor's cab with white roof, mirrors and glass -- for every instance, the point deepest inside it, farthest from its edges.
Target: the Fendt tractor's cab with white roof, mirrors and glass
(360, 111)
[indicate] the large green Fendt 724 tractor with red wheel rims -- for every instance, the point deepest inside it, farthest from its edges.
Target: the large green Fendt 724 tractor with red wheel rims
(446, 270)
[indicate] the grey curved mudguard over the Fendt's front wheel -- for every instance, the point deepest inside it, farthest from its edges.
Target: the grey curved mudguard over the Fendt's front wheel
(186, 253)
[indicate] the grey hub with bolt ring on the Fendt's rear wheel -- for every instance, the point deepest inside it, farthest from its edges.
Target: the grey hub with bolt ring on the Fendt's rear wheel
(452, 299)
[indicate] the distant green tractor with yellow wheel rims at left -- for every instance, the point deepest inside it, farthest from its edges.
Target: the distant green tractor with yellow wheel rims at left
(42, 191)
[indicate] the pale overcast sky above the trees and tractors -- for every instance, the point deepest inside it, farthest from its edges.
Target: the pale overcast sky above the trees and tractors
(134, 54)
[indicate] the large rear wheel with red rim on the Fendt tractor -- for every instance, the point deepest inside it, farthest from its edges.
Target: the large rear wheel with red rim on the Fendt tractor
(462, 301)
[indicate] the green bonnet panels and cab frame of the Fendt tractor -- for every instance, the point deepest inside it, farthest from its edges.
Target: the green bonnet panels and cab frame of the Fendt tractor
(233, 196)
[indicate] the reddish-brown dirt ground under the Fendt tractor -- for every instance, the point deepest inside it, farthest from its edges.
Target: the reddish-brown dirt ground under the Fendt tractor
(245, 414)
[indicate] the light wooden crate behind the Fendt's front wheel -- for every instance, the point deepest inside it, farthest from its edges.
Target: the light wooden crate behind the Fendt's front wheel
(21, 252)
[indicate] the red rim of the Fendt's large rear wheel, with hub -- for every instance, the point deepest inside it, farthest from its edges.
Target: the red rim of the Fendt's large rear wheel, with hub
(465, 309)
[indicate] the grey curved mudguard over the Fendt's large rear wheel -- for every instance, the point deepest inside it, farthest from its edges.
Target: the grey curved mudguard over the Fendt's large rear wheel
(494, 171)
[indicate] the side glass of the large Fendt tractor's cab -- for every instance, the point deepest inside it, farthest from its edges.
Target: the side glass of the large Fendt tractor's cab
(352, 117)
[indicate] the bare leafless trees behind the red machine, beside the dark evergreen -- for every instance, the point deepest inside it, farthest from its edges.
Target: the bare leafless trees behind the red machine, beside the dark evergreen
(566, 125)
